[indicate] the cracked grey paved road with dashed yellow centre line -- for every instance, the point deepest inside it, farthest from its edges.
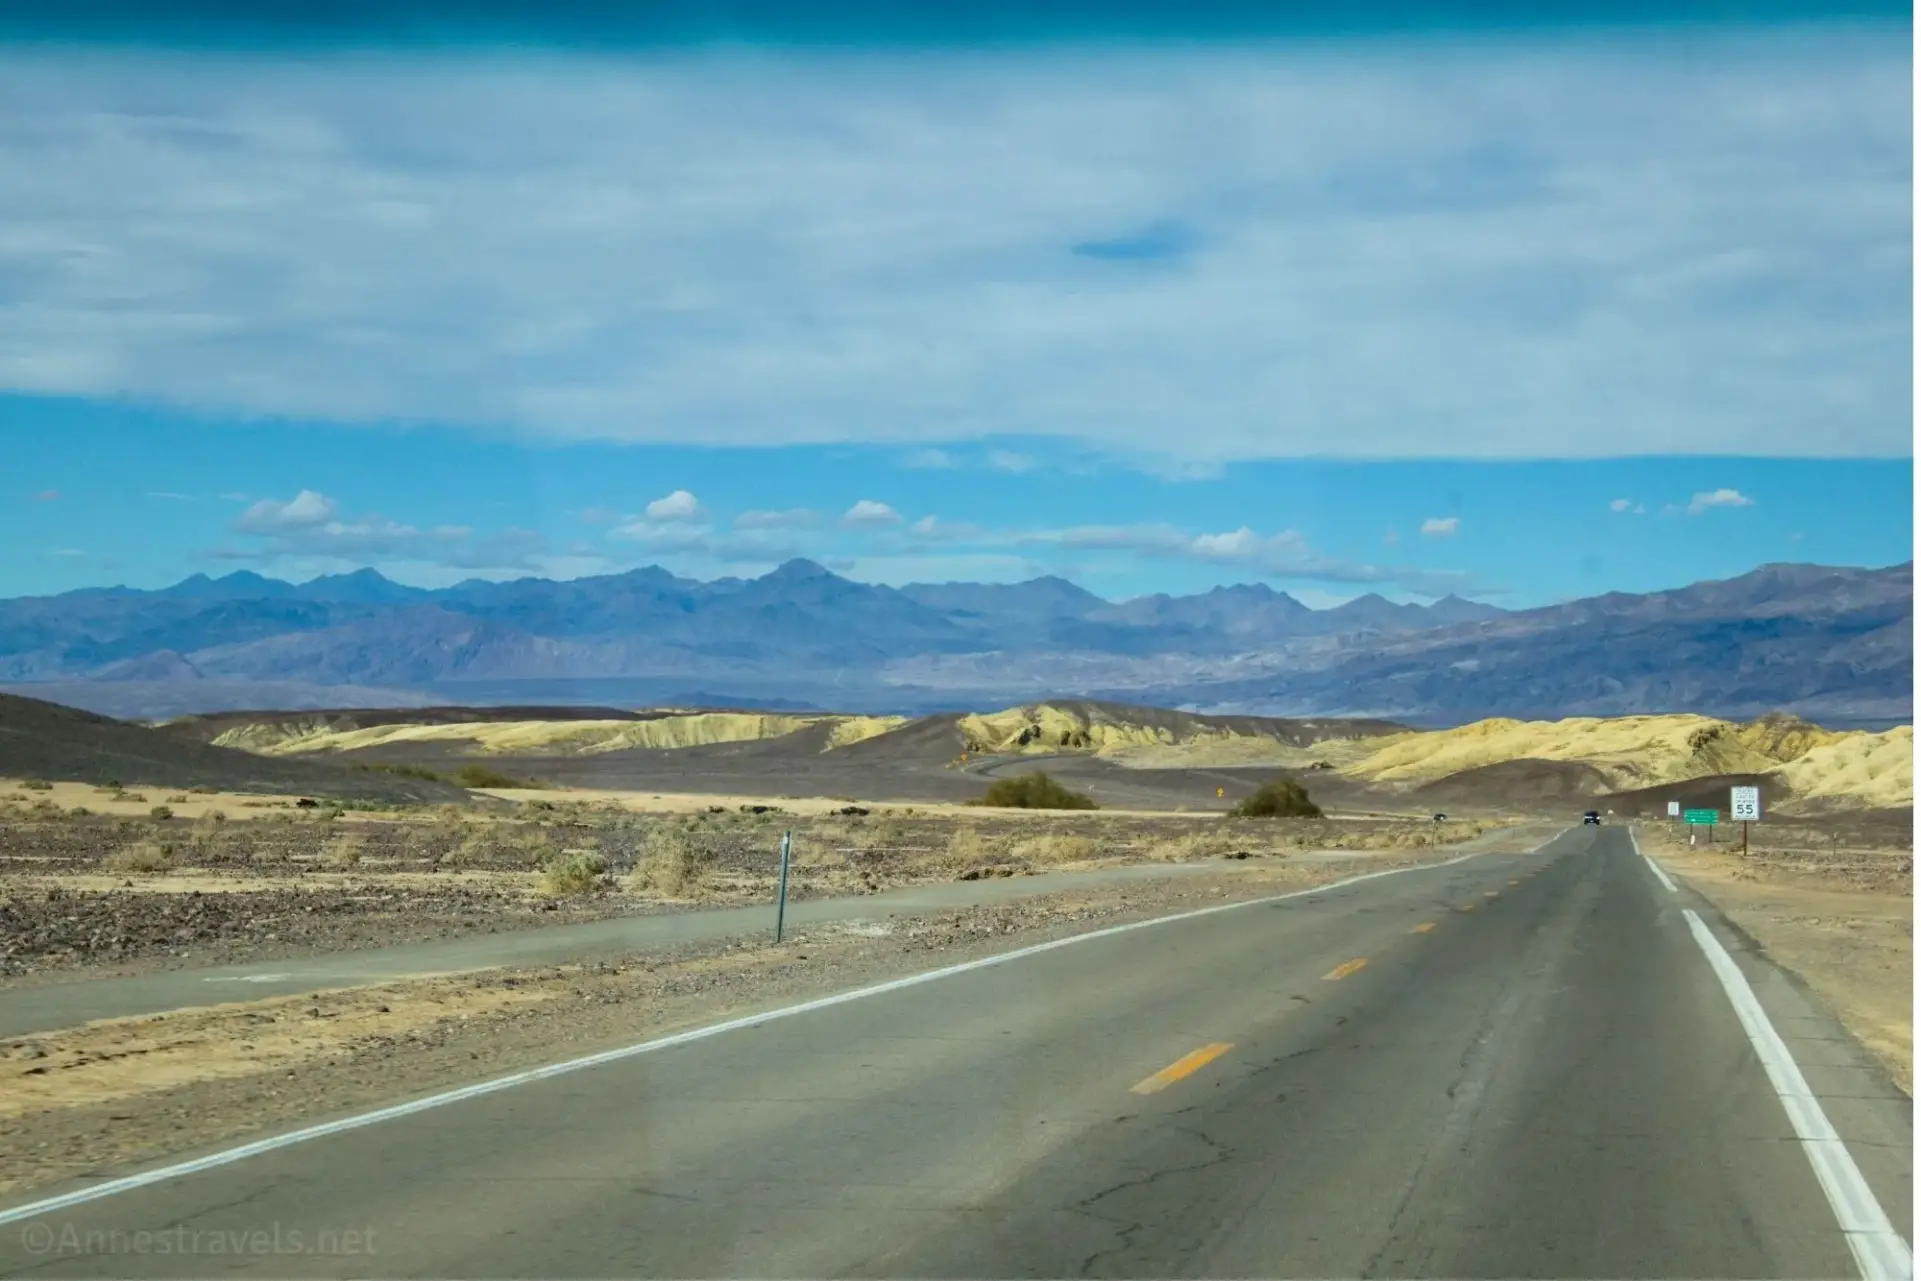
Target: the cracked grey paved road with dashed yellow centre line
(1513, 1067)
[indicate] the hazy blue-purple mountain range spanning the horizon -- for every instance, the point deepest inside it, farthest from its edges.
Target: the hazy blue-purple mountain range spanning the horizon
(1816, 640)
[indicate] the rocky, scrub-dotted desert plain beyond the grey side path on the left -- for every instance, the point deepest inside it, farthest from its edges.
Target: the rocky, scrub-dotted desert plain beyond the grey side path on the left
(99, 894)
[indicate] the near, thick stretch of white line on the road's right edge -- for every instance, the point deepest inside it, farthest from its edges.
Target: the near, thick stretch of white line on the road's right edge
(1880, 1249)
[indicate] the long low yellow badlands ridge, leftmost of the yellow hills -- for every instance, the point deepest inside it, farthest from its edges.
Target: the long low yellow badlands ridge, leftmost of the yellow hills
(556, 738)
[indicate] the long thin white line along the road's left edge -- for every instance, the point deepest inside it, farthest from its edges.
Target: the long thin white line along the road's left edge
(112, 1188)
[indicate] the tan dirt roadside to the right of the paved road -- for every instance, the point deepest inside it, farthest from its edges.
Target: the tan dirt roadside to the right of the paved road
(1828, 900)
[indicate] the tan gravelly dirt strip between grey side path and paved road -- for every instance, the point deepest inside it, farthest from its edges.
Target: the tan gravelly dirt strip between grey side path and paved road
(135, 1090)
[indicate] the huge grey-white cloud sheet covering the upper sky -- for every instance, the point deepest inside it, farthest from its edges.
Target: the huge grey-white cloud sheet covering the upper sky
(883, 249)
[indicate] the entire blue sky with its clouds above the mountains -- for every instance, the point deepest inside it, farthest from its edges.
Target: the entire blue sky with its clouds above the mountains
(1390, 310)
